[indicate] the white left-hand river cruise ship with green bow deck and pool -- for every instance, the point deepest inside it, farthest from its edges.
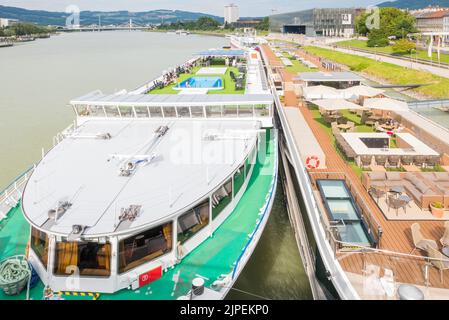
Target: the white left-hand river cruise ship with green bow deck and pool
(157, 193)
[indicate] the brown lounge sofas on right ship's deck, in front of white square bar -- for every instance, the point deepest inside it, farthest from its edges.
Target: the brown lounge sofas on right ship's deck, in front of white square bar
(423, 187)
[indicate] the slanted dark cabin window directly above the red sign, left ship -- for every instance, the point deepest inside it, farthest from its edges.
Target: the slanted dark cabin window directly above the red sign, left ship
(145, 246)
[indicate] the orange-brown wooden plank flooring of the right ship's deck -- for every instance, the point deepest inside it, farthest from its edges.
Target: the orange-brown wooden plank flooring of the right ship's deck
(396, 235)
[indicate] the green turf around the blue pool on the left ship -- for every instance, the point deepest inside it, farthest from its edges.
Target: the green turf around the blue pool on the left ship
(229, 85)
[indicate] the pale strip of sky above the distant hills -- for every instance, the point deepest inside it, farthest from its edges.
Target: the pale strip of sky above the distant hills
(247, 7)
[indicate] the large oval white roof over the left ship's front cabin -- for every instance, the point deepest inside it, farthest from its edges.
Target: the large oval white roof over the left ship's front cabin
(84, 171)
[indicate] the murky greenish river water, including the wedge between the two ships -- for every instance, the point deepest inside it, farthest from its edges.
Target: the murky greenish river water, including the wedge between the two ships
(38, 79)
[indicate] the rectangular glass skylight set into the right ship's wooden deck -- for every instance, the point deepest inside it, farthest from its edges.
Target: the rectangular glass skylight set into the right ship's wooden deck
(343, 210)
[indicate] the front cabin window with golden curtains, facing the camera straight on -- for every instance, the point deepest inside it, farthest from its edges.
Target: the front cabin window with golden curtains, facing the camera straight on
(91, 258)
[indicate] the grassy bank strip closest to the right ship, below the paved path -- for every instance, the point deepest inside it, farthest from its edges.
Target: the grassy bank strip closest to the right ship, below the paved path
(438, 88)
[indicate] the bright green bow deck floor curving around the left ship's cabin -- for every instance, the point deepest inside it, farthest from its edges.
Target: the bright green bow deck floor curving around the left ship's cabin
(215, 257)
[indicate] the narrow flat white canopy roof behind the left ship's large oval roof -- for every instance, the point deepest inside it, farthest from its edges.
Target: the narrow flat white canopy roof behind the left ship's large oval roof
(157, 100)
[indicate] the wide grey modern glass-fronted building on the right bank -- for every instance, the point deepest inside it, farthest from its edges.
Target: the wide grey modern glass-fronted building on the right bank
(330, 22)
